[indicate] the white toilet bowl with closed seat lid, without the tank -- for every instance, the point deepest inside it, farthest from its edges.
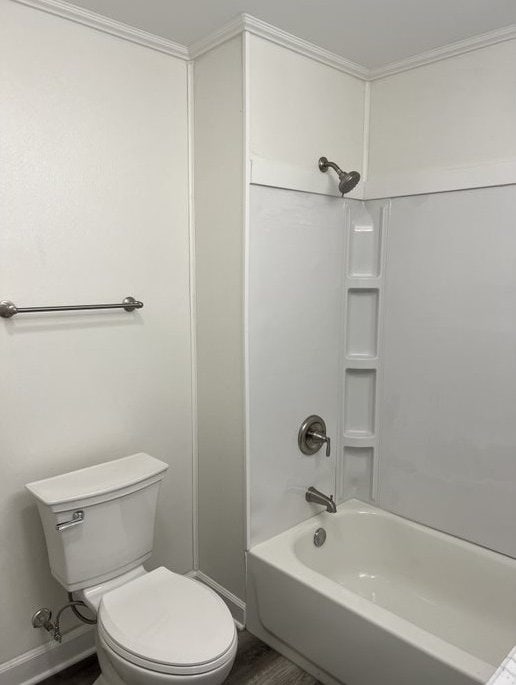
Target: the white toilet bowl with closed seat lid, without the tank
(163, 628)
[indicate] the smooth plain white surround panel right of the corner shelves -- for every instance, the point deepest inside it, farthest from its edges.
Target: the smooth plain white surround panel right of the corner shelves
(447, 432)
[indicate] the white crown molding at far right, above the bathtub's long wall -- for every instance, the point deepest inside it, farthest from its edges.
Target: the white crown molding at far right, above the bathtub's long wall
(460, 47)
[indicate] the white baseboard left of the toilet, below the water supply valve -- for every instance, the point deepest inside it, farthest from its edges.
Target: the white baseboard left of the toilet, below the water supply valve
(52, 657)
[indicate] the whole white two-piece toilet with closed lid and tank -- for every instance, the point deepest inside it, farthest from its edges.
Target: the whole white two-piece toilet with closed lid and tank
(153, 627)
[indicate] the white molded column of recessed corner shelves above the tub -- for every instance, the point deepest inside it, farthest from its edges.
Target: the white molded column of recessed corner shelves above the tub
(358, 463)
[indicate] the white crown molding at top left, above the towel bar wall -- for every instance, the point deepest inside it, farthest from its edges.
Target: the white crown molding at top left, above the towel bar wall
(106, 25)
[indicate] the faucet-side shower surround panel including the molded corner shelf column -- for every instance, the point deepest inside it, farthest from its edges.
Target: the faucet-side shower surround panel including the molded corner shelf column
(316, 278)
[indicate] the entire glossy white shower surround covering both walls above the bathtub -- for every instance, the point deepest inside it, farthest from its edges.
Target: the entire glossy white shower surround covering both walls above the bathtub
(393, 321)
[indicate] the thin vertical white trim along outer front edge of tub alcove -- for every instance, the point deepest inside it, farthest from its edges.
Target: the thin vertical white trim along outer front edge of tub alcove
(247, 185)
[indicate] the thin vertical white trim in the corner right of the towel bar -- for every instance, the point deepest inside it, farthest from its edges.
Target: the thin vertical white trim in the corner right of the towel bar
(193, 314)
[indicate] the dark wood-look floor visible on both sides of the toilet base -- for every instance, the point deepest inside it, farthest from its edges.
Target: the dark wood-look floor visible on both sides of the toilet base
(256, 664)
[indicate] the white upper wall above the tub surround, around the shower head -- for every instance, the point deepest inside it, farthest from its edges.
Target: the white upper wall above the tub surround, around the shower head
(443, 126)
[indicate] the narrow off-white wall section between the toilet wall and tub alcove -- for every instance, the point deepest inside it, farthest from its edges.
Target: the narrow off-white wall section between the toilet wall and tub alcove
(219, 226)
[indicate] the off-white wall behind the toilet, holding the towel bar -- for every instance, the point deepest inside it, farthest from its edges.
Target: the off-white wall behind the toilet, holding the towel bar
(93, 207)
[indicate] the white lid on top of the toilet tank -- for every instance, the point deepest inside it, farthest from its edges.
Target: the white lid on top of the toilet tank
(98, 480)
